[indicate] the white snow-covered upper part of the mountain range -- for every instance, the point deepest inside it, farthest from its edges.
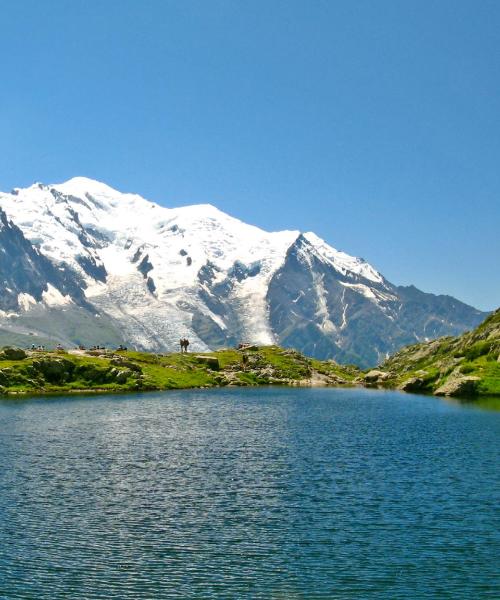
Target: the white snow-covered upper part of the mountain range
(115, 241)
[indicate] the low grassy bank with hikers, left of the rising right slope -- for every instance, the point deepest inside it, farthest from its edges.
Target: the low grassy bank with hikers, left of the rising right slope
(60, 372)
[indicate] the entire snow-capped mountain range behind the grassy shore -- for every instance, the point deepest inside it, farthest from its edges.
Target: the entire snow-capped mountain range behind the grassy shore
(84, 263)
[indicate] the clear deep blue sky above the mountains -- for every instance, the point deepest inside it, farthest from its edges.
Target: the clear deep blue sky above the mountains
(375, 124)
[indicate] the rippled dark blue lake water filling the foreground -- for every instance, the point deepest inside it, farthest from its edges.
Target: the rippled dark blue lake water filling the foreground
(249, 493)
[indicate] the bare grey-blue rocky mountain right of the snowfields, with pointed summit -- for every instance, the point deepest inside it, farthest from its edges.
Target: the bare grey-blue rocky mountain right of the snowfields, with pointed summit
(354, 316)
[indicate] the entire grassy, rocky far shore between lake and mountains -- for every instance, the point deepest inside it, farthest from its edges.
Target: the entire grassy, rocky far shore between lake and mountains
(463, 366)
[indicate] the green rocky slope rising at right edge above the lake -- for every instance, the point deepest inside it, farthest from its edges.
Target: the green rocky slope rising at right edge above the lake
(465, 365)
